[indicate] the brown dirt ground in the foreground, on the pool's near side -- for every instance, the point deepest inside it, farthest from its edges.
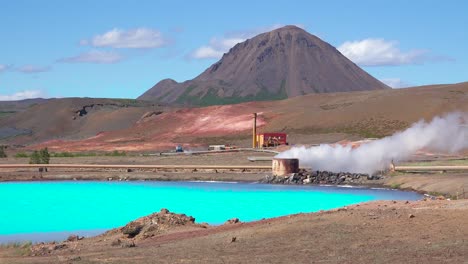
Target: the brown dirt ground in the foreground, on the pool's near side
(376, 232)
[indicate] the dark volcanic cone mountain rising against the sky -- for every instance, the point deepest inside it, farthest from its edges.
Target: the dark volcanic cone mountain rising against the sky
(279, 64)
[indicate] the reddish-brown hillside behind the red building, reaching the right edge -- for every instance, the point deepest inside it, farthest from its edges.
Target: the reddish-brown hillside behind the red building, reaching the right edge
(357, 114)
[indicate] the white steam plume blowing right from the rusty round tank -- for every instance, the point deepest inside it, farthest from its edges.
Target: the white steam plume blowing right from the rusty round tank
(443, 134)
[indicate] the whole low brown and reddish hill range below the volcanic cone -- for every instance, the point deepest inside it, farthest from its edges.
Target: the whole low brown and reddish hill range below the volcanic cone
(309, 119)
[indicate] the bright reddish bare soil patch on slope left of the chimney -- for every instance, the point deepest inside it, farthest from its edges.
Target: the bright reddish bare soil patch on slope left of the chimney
(163, 131)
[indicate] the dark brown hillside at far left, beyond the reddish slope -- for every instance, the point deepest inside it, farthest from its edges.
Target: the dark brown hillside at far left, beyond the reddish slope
(71, 118)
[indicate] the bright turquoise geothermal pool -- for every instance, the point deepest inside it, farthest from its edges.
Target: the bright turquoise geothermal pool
(42, 211)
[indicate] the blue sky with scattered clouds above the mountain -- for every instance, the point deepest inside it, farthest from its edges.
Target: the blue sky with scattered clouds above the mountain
(119, 49)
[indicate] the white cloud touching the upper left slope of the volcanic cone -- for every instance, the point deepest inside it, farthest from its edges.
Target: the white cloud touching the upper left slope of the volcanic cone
(218, 46)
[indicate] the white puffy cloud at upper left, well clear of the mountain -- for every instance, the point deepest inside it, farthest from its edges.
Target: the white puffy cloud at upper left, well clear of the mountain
(139, 38)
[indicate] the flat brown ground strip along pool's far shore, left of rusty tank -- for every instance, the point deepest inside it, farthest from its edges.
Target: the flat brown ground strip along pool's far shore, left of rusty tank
(238, 158)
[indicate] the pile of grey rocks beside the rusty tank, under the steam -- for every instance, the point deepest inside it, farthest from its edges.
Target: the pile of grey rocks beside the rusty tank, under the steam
(322, 177)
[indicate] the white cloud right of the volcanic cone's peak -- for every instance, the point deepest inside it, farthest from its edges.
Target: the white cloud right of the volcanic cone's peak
(379, 52)
